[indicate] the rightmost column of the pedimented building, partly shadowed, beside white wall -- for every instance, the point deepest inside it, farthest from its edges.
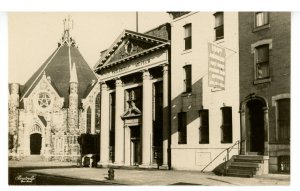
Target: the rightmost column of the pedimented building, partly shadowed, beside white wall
(166, 119)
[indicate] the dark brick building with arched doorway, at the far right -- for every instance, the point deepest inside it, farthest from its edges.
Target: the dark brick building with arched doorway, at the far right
(264, 41)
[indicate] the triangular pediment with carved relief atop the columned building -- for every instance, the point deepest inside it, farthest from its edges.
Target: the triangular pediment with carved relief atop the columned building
(128, 44)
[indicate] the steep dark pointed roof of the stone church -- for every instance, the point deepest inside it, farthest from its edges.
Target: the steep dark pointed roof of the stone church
(58, 66)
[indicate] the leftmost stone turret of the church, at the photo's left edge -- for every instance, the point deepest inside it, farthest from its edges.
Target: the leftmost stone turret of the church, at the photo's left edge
(13, 116)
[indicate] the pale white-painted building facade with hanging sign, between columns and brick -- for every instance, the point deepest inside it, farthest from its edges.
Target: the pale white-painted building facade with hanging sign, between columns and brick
(204, 89)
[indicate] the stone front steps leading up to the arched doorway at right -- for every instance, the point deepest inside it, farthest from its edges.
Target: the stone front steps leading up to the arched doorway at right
(246, 166)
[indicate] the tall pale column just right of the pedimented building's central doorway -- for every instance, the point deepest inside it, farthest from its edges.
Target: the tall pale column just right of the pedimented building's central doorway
(147, 120)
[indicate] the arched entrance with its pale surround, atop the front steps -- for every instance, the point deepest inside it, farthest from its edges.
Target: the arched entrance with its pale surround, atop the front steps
(254, 126)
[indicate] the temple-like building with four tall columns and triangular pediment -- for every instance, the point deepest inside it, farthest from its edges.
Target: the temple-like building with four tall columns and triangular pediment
(134, 76)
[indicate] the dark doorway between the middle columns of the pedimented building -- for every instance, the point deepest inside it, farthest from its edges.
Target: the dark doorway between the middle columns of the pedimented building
(135, 134)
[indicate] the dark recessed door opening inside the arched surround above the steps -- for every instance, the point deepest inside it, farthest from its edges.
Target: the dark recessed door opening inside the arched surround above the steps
(255, 127)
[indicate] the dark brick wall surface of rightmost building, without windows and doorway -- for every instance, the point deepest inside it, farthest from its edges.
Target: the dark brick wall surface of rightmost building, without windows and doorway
(279, 32)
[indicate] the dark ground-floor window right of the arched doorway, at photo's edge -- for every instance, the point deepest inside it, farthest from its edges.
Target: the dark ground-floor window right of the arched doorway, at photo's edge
(283, 119)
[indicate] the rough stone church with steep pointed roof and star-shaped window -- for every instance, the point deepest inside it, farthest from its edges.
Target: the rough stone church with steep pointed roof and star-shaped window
(58, 103)
